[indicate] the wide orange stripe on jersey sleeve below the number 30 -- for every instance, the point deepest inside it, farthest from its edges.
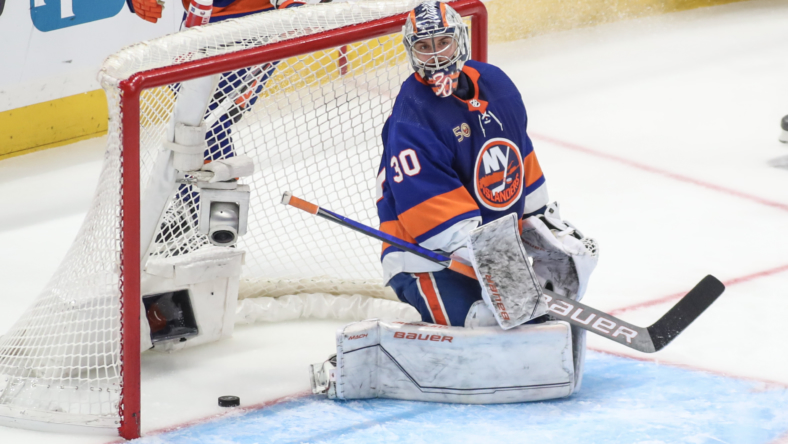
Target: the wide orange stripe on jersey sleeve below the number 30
(437, 210)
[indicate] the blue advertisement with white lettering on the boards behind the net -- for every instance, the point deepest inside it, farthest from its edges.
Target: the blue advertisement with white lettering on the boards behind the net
(49, 15)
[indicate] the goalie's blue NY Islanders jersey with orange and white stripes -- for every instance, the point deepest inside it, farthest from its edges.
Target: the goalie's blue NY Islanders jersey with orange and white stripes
(450, 164)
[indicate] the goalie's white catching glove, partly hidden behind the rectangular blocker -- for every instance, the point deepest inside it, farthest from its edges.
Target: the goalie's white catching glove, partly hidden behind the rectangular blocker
(563, 257)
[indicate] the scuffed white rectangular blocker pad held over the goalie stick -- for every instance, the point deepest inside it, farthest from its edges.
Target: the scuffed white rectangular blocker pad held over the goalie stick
(509, 285)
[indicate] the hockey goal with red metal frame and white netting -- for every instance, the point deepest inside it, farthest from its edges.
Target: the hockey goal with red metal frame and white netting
(72, 361)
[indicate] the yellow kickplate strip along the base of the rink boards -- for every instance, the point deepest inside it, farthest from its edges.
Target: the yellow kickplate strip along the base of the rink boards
(70, 119)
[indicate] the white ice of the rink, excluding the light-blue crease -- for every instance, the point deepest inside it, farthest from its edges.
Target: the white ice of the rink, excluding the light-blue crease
(654, 135)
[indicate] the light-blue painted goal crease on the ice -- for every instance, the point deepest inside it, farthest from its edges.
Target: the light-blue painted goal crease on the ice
(621, 401)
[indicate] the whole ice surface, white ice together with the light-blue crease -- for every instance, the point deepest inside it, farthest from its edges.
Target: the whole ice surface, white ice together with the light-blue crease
(654, 135)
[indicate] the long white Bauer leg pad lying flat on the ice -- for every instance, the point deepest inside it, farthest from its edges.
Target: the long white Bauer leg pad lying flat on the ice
(427, 362)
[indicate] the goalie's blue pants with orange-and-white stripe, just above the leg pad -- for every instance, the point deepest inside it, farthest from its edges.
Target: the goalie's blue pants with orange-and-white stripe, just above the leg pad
(441, 297)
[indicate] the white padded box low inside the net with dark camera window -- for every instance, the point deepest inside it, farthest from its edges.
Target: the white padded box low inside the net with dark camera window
(200, 287)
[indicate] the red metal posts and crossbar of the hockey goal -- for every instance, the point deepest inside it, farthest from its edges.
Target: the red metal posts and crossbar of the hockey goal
(131, 90)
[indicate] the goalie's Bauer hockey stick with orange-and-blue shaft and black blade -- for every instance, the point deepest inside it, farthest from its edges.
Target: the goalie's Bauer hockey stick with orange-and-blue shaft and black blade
(645, 339)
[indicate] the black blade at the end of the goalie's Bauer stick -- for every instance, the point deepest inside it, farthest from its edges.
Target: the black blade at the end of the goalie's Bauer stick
(685, 311)
